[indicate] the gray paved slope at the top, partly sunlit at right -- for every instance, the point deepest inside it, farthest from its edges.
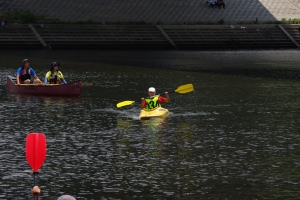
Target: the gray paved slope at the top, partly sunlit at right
(164, 11)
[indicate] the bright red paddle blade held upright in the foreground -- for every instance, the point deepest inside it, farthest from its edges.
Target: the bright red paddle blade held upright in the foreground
(35, 150)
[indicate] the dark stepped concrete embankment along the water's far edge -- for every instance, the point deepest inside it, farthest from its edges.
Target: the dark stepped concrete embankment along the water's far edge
(198, 37)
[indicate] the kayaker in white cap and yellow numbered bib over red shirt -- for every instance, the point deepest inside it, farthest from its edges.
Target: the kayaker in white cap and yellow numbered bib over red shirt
(153, 101)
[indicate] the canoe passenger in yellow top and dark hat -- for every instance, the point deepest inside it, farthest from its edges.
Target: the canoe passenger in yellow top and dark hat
(54, 76)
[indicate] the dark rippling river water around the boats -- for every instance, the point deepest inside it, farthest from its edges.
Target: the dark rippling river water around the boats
(235, 137)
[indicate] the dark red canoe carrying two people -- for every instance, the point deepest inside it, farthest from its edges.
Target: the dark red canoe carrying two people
(69, 89)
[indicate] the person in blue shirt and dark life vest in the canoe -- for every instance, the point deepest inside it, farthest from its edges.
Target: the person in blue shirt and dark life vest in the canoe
(25, 74)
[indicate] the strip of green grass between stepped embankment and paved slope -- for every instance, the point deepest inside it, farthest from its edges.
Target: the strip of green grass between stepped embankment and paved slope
(28, 17)
